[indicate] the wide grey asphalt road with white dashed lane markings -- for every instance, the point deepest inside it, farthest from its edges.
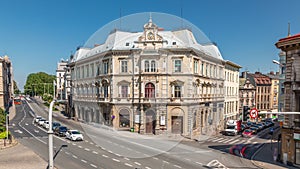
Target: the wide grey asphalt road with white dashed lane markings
(106, 148)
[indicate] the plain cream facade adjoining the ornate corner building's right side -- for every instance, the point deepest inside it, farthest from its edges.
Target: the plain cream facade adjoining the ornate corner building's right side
(231, 86)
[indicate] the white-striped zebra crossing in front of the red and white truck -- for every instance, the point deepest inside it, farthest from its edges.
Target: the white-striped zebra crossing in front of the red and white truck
(230, 140)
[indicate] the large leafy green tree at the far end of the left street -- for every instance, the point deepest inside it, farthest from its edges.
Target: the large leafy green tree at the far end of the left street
(38, 84)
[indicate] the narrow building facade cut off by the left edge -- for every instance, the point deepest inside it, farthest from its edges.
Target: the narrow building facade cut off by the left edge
(6, 81)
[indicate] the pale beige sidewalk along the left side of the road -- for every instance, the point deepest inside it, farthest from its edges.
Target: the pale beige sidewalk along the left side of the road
(17, 156)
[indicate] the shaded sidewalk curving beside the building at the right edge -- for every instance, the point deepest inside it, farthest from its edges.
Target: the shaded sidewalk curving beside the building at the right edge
(264, 158)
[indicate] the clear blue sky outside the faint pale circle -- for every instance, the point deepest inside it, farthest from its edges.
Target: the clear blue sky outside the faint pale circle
(36, 34)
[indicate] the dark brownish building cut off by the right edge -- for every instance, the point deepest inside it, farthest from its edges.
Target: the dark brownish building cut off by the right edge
(290, 130)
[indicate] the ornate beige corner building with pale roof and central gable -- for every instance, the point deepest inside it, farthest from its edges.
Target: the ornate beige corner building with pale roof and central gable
(152, 82)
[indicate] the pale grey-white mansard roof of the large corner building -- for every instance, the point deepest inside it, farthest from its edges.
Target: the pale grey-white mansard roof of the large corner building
(122, 40)
